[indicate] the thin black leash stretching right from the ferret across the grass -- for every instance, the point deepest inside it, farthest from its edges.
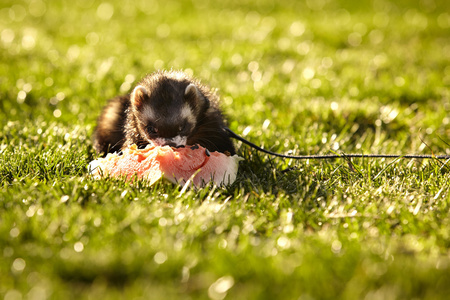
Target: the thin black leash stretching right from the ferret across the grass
(329, 156)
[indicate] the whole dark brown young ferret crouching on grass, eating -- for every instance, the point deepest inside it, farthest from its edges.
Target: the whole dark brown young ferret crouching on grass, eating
(165, 108)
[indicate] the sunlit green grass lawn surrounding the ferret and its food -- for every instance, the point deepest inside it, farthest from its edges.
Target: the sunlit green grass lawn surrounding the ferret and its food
(312, 77)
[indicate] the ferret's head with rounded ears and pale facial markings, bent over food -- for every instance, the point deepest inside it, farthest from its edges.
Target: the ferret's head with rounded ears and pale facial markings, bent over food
(167, 108)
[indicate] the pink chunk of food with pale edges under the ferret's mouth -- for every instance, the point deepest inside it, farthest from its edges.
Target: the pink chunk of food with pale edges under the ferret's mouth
(176, 165)
